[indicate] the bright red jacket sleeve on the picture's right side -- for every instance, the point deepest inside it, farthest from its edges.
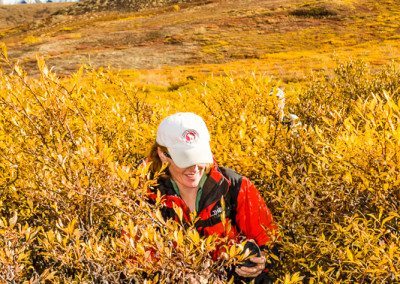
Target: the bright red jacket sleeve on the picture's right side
(253, 217)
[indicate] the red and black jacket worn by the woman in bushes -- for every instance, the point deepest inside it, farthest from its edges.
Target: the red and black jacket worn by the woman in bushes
(244, 207)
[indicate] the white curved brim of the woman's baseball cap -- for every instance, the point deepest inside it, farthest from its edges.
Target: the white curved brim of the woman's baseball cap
(183, 158)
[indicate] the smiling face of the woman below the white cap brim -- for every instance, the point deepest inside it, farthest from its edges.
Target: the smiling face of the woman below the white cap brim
(186, 178)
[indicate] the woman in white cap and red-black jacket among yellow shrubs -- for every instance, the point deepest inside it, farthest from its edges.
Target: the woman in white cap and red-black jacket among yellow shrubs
(194, 182)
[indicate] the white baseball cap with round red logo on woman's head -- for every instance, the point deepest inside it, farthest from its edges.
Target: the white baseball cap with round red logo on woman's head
(186, 137)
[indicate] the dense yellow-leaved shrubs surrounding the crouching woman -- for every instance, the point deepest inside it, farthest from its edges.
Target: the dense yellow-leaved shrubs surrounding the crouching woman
(73, 186)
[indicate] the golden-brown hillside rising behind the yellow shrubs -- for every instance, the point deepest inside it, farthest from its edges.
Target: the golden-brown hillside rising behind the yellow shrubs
(283, 38)
